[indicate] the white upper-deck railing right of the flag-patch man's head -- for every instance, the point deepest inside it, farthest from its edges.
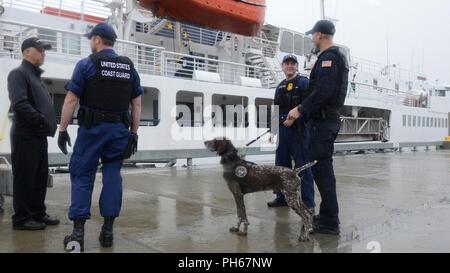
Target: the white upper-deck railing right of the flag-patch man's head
(390, 71)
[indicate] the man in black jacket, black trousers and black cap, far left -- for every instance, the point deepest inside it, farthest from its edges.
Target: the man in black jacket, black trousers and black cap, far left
(34, 120)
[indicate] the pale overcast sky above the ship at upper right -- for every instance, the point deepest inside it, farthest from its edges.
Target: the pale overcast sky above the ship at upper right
(417, 32)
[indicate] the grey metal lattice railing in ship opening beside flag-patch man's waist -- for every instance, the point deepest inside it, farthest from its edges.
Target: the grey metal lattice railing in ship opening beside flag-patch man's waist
(361, 126)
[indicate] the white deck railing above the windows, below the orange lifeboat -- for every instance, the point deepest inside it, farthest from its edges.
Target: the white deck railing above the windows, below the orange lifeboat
(186, 66)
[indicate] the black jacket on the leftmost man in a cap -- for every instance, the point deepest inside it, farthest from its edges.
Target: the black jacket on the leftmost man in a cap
(30, 101)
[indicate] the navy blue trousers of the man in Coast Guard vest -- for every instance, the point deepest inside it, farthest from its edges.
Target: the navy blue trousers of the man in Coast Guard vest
(105, 141)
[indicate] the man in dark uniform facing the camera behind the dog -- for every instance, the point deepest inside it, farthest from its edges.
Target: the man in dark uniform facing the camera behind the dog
(290, 93)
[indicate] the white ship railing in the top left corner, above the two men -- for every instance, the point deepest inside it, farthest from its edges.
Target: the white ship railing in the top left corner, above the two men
(63, 8)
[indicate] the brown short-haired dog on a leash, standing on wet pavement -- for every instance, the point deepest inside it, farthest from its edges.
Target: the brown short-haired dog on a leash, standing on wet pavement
(245, 177)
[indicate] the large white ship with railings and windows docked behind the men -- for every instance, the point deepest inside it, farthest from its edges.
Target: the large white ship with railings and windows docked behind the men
(371, 95)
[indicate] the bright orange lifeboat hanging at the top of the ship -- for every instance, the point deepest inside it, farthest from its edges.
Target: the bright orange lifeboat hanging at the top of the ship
(245, 17)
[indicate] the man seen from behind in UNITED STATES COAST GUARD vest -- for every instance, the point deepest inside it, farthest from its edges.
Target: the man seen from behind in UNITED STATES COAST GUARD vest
(105, 84)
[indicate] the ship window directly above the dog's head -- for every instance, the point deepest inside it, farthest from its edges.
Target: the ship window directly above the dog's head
(229, 111)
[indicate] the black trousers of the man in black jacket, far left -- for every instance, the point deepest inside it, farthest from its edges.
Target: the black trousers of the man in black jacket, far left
(30, 174)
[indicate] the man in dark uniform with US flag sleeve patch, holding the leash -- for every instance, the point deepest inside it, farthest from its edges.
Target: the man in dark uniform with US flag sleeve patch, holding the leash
(328, 87)
